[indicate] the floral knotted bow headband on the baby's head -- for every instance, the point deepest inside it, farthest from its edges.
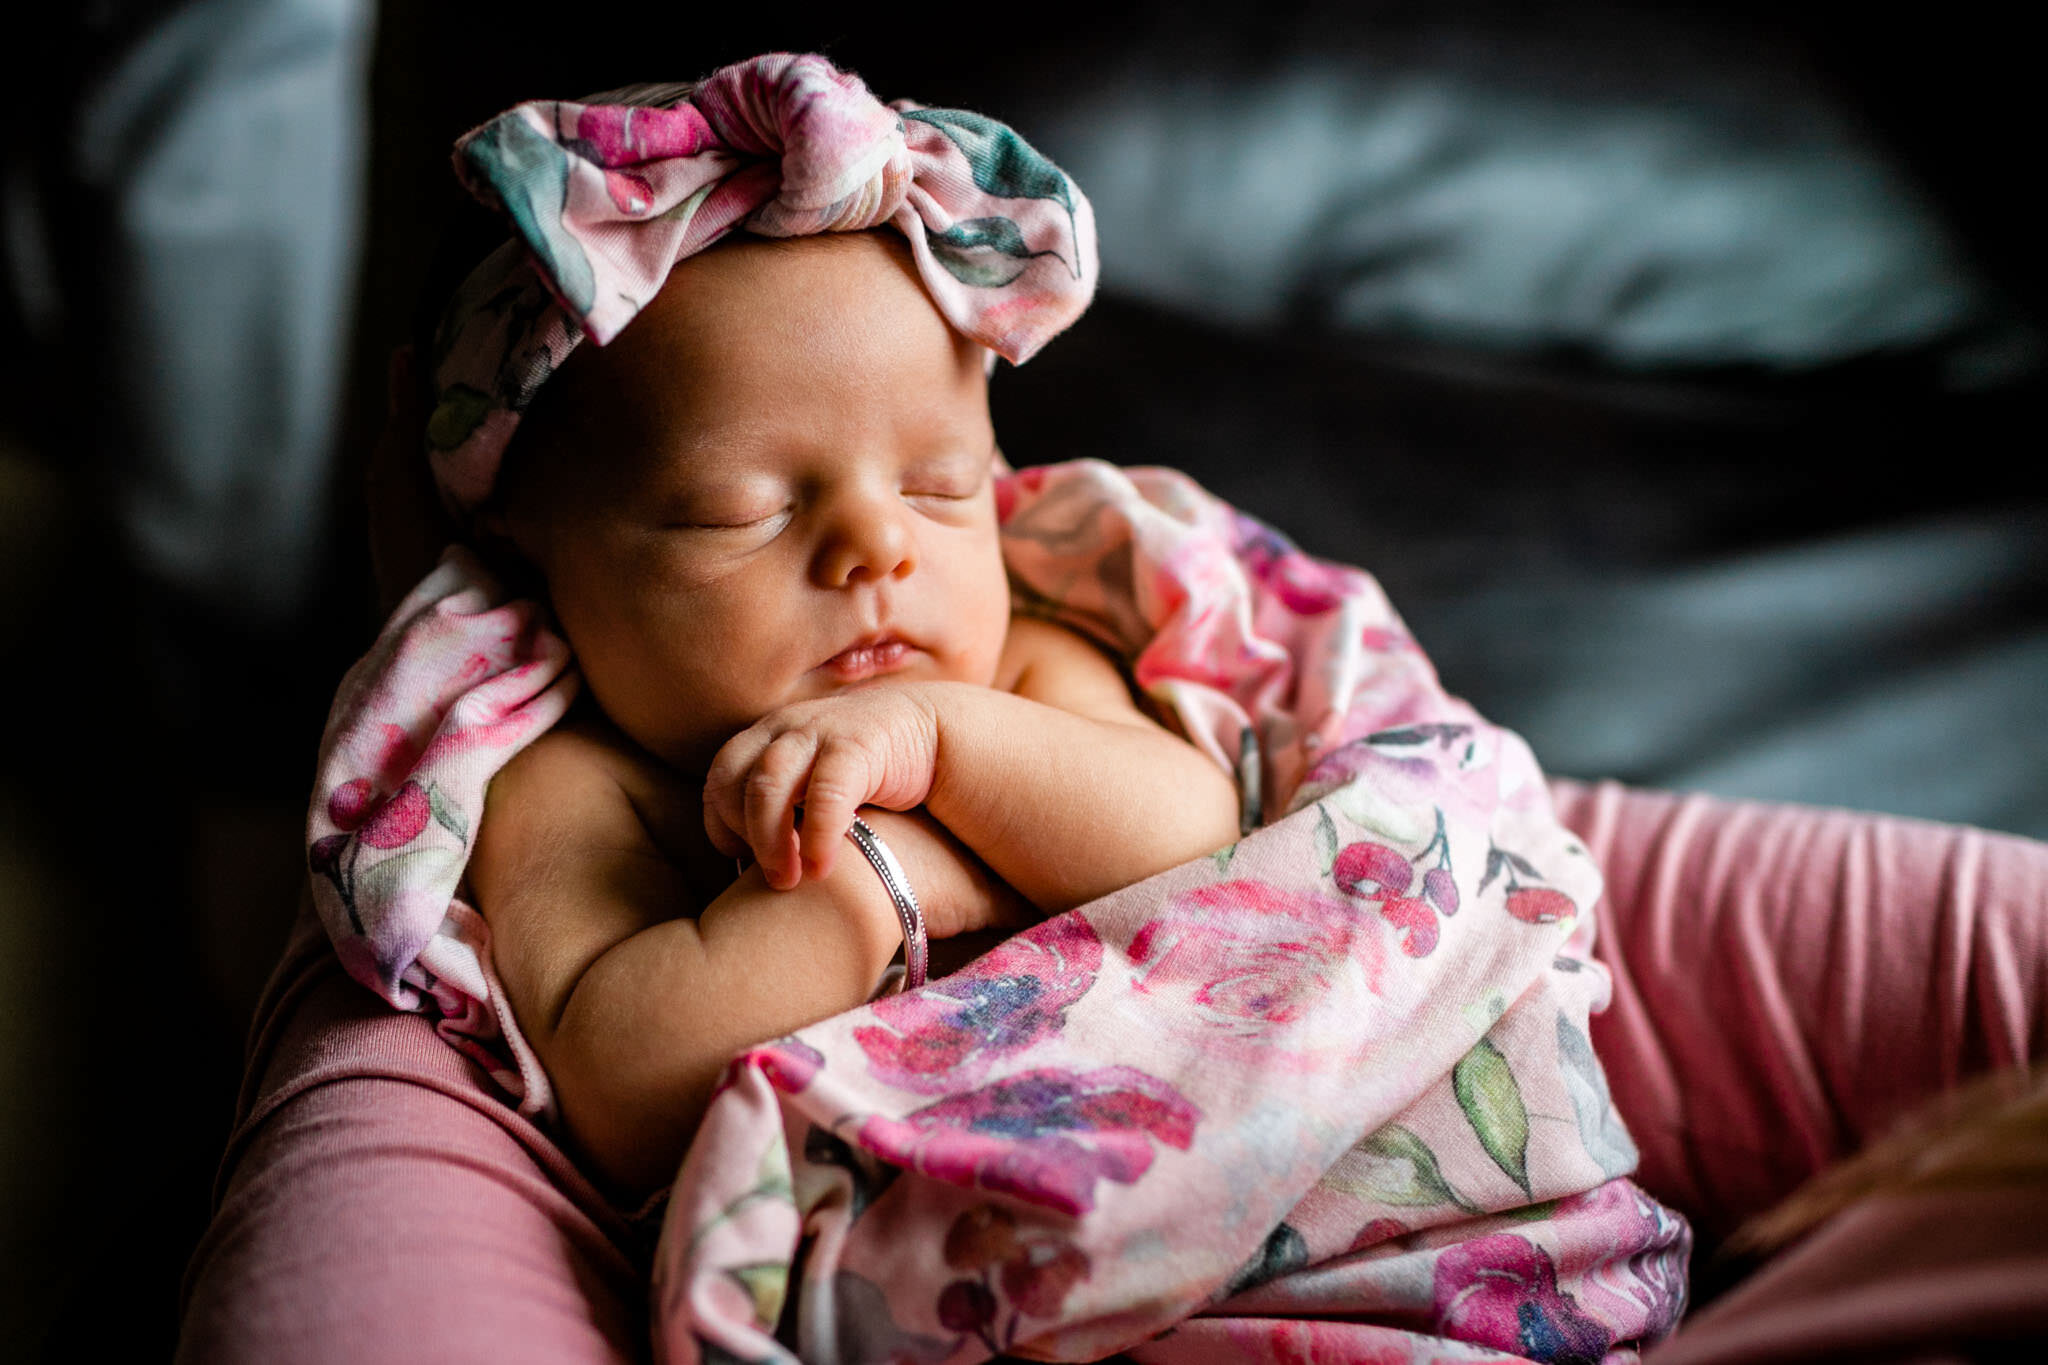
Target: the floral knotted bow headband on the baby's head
(609, 195)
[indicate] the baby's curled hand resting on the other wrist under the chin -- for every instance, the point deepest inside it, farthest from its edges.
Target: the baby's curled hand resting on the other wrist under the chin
(876, 746)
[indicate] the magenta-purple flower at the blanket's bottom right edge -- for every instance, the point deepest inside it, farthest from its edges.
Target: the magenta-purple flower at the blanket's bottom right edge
(1502, 1292)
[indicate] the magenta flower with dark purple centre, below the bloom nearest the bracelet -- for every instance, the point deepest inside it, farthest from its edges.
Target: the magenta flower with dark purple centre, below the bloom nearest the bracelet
(1048, 1137)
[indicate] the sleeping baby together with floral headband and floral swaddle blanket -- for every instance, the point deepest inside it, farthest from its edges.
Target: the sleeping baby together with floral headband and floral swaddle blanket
(763, 513)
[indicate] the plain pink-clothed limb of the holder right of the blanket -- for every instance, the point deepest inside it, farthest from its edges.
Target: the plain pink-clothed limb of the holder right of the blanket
(1791, 979)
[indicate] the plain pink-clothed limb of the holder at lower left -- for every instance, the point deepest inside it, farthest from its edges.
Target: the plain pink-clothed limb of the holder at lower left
(382, 1202)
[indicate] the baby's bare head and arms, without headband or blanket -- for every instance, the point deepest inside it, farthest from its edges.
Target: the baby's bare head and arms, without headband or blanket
(767, 525)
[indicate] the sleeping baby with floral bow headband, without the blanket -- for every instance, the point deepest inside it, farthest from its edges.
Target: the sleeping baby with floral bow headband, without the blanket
(765, 521)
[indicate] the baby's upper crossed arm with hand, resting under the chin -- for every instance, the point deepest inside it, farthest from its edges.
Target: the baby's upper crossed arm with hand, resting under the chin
(1060, 783)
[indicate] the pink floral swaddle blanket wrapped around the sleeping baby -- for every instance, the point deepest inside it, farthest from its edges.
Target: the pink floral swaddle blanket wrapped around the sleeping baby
(1324, 1096)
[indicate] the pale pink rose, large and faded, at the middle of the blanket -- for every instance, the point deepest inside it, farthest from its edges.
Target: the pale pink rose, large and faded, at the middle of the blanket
(1248, 955)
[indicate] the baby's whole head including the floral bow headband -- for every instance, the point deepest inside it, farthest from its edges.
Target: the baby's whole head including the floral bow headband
(771, 474)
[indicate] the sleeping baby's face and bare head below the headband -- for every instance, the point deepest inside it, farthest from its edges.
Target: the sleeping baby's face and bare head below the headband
(771, 488)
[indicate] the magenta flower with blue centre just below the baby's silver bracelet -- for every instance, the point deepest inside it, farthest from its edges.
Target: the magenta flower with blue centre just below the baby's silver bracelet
(951, 1032)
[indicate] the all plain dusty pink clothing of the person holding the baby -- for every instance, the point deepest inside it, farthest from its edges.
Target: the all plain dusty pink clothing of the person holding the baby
(1914, 946)
